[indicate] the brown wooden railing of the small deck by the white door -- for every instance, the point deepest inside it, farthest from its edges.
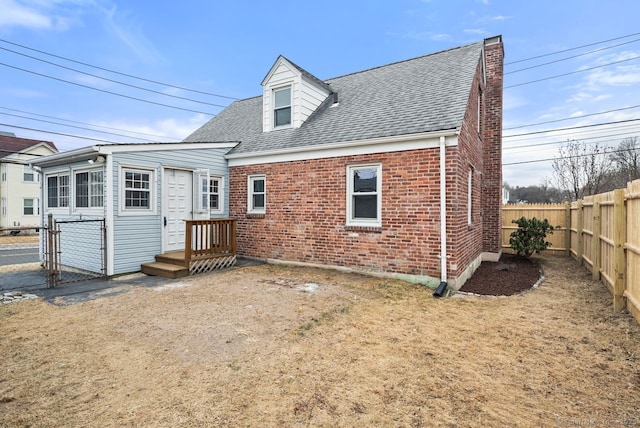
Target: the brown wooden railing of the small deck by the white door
(209, 239)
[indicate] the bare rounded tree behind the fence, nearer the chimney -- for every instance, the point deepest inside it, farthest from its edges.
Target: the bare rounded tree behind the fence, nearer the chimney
(581, 170)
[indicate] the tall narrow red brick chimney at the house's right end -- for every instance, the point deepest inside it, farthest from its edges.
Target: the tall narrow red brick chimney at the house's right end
(492, 141)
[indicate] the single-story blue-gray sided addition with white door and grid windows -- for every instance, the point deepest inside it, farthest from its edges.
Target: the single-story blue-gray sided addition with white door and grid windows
(143, 192)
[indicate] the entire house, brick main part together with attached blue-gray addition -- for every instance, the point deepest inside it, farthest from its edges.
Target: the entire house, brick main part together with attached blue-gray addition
(394, 171)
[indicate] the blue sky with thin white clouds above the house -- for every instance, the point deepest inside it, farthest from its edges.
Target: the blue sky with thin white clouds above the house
(226, 48)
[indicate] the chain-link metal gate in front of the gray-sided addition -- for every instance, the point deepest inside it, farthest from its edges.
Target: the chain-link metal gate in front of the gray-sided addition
(74, 250)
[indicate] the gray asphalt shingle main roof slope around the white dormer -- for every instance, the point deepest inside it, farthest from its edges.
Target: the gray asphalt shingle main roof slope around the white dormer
(424, 94)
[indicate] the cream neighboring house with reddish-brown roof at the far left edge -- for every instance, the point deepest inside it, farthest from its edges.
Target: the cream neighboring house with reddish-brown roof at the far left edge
(19, 183)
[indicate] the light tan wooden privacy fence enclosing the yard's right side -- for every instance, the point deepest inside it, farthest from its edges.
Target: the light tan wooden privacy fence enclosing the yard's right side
(602, 232)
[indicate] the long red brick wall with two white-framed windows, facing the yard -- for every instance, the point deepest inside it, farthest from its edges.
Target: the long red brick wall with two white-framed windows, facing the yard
(305, 213)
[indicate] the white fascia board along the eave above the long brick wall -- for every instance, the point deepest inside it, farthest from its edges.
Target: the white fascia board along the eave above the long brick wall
(350, 148)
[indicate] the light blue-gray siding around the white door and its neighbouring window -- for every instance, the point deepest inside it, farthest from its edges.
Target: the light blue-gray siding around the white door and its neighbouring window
(138, 238)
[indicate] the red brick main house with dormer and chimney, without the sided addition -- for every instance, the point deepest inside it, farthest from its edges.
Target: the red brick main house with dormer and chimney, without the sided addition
(394, 170)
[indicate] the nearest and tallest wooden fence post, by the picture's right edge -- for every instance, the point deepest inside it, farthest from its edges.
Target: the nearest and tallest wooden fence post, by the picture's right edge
(619, 238)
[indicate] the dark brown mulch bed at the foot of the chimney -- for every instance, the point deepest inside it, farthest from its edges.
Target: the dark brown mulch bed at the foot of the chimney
(510, 275)
